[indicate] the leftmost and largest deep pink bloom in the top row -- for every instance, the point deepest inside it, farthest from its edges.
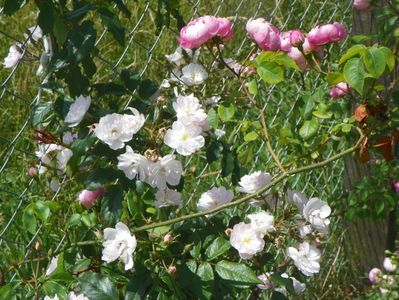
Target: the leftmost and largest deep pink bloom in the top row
(203, 29)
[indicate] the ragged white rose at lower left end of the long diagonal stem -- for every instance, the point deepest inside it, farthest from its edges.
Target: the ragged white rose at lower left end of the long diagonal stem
(119, 244)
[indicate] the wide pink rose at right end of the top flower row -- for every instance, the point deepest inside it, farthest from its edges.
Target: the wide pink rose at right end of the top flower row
(325, 34)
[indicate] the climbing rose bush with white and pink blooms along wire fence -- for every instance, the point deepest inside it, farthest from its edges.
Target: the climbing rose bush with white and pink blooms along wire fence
(138, 224)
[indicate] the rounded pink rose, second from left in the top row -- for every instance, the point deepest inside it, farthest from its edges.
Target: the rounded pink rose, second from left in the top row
(265, 35)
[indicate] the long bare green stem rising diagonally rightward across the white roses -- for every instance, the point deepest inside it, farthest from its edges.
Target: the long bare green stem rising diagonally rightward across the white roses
(244, 199)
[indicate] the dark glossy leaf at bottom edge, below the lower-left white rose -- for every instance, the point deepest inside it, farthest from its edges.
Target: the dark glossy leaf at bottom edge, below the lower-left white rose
(98, 286)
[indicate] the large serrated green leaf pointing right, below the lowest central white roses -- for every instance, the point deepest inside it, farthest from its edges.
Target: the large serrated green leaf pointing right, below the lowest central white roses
(236, 273)
